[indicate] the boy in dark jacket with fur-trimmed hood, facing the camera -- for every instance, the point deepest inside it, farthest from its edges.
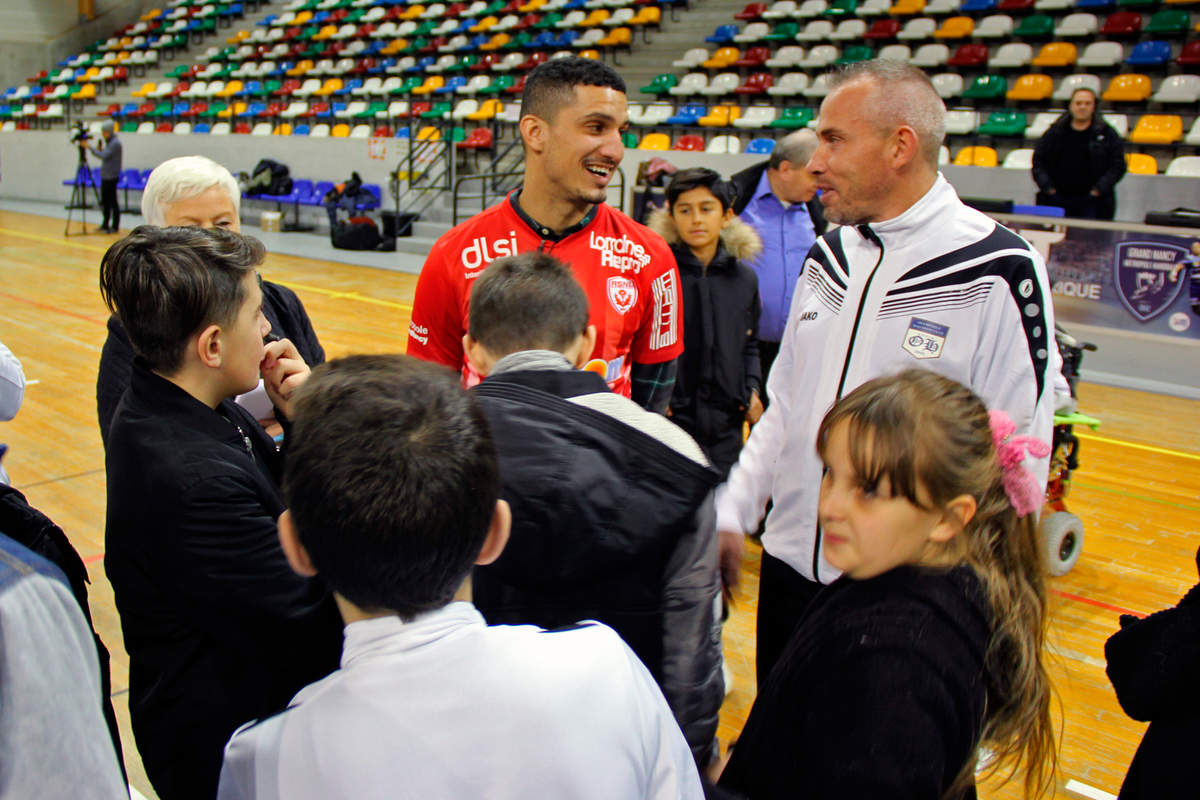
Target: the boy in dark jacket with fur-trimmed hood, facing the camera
(719, 377)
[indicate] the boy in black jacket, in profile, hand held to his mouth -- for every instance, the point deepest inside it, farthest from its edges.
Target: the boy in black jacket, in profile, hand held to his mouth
(218, 627)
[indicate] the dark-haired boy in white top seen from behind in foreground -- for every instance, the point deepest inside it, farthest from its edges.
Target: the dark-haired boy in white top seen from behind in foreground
(394, 494)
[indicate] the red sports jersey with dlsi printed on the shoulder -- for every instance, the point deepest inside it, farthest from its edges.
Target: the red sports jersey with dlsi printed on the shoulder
(627, 270)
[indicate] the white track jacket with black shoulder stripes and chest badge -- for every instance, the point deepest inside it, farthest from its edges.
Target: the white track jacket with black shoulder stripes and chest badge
(941, 287)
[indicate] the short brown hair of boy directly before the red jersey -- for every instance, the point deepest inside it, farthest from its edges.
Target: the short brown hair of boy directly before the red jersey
(527, 303)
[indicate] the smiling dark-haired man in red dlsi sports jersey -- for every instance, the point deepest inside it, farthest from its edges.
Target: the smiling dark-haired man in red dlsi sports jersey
(573, 113)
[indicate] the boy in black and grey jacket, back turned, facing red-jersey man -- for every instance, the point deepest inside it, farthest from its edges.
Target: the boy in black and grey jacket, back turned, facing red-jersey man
(613, 504)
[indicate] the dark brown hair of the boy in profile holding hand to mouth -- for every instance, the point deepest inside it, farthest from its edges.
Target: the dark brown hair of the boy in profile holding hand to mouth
(166, 285)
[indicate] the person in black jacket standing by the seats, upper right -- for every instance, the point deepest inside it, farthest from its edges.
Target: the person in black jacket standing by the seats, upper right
(1078, 163)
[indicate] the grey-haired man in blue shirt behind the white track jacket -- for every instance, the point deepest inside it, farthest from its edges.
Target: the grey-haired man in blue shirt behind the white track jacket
(778, 200)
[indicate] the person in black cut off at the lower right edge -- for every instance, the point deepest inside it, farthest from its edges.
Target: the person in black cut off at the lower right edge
(1154, 665)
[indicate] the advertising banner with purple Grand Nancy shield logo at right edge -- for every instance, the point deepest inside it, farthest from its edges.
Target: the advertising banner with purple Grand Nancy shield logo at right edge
(1135, 281)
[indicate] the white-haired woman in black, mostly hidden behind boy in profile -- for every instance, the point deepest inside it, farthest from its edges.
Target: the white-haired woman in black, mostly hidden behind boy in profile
(197, 191)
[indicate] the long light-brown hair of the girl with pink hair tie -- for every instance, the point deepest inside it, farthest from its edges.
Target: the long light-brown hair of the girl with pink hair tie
(923, 431)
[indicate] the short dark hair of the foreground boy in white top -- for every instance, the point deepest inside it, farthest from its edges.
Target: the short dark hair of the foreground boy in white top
(392, 480)
